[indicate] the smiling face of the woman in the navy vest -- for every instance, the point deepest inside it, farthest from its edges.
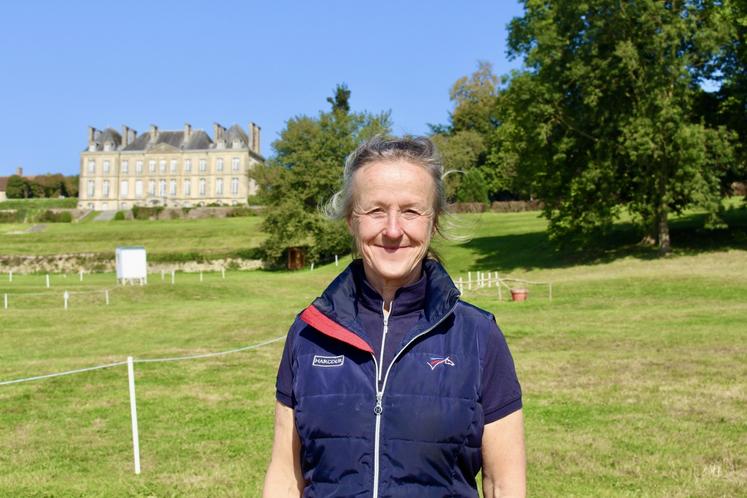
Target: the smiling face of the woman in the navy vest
(392, 219)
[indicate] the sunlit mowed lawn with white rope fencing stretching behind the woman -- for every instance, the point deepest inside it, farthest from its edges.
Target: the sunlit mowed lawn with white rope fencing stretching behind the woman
(633, 376)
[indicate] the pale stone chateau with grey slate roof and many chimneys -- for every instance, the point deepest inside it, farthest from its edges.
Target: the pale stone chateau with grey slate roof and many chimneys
(183, 168)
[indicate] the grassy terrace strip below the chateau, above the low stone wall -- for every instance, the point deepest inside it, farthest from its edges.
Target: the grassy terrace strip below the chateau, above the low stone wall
(207, 237)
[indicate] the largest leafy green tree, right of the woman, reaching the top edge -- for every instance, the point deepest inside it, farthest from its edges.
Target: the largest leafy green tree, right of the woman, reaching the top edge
(604, 113)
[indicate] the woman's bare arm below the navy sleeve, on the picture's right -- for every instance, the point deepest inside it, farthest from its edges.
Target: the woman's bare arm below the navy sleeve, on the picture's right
(504, 458)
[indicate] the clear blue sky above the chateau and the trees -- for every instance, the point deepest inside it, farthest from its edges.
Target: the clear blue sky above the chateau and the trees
(67, 65)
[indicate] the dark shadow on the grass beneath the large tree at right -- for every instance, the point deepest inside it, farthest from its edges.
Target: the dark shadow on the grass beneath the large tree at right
(534, 250)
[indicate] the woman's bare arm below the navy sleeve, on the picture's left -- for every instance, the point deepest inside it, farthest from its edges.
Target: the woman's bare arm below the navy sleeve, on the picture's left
(284, 478)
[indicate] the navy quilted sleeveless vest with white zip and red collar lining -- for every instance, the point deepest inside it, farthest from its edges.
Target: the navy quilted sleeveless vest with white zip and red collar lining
(420, 435)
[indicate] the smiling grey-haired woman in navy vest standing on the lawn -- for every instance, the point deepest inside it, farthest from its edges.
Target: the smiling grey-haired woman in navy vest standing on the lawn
(390, 385)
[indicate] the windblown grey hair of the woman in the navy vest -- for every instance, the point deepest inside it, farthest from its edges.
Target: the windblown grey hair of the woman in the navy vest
(415, 150)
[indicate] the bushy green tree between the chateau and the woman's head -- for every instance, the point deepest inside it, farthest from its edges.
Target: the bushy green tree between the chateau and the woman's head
(303, 174)
